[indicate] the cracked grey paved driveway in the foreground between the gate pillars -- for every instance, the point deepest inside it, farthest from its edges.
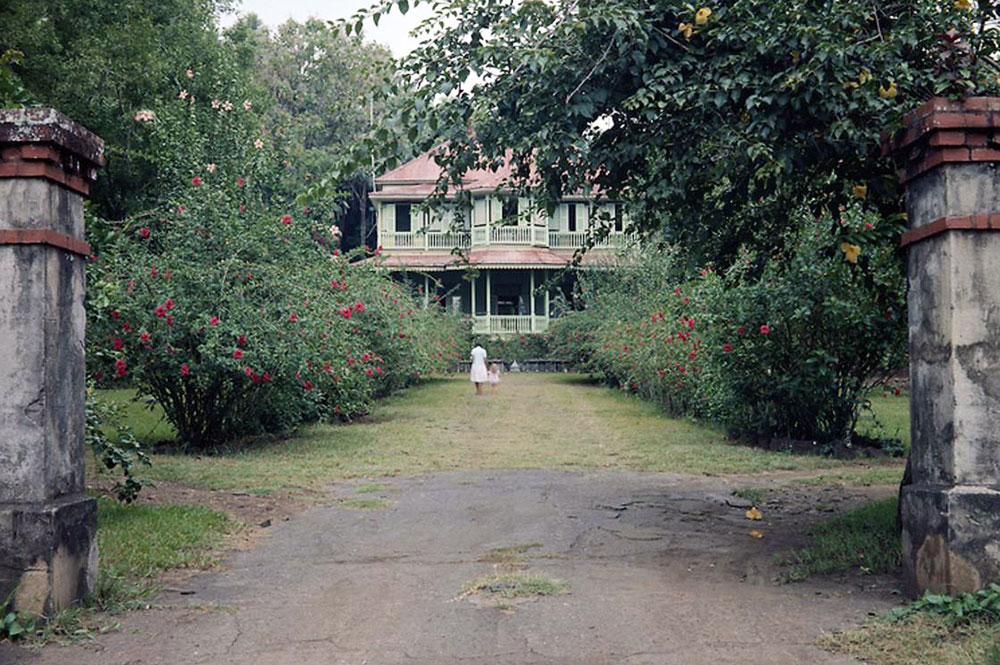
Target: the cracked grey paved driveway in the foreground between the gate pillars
(661, 571)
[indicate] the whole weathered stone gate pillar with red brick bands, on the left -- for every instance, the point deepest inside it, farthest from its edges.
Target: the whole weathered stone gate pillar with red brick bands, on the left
(48, 527)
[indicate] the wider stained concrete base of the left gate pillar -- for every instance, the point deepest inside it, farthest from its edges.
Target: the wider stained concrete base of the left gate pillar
(48, 553)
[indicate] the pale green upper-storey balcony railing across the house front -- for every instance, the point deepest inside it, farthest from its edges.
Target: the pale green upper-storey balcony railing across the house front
(483, 236)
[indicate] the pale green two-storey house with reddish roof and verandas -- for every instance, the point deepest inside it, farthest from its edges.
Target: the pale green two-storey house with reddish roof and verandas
(511, 268)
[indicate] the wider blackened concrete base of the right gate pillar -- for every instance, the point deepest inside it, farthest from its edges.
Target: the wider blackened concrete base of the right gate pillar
(949, 538)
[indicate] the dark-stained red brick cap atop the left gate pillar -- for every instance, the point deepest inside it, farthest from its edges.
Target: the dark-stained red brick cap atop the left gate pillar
(43, 143)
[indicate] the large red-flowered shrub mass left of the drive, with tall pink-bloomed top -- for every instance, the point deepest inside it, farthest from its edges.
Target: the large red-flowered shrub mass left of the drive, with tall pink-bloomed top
(235, 311)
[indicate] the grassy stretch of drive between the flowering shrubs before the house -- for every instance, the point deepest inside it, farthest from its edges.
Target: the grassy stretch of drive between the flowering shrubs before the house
(559, 421)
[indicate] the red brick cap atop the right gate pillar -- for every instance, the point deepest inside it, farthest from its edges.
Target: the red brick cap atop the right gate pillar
(946, 132)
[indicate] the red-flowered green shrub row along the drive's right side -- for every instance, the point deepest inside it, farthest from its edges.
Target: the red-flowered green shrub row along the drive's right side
(787, 351)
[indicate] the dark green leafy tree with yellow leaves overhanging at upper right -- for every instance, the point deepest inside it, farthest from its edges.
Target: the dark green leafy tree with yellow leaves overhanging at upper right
(714, 122)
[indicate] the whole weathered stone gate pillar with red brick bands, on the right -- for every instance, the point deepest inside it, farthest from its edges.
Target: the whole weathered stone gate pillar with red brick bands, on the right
(949, 152)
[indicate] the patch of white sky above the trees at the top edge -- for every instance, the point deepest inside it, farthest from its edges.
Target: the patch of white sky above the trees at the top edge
(392, 30)
